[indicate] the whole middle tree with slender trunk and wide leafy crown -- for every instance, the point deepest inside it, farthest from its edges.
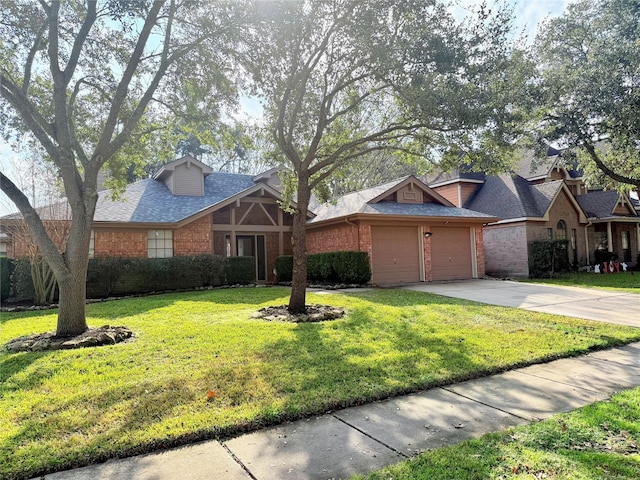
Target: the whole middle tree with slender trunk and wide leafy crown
(341, 79)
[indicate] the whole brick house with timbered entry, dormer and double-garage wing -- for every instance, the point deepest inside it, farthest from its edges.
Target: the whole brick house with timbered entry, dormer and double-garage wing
(411, 232)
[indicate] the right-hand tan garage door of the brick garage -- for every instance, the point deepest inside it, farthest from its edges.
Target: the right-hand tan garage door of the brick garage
(451, 257)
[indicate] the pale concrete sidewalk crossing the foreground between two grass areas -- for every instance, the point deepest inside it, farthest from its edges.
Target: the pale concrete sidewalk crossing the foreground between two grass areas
(358, 440)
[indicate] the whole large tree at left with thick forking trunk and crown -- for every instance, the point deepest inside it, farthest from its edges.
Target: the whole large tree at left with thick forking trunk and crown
(90, 83)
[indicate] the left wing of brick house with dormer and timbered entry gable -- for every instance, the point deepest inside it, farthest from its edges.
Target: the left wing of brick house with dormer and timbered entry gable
(187, 209)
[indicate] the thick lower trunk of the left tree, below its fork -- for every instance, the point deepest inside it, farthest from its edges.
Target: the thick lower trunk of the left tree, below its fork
(71, 314)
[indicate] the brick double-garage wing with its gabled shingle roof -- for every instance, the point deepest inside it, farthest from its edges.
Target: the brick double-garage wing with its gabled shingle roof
(411, 233)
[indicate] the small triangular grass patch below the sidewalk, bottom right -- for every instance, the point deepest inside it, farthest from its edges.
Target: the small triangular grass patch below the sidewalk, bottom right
(599, 441)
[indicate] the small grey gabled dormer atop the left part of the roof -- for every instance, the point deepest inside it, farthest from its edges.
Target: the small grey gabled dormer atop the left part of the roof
(184, 176)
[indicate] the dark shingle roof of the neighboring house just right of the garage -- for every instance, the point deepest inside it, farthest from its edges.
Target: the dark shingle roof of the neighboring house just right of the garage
(507, 196)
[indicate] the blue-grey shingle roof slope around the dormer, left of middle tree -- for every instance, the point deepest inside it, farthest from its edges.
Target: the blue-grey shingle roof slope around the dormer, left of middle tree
(150, 201)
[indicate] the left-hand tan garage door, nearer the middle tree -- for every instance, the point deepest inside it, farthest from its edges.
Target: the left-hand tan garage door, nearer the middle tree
(395, 254)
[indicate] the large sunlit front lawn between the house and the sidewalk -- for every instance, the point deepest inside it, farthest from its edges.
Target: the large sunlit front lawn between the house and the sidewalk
(68, 408)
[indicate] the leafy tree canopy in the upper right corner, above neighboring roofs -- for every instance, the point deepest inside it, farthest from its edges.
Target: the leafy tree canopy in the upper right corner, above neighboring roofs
(589, 77)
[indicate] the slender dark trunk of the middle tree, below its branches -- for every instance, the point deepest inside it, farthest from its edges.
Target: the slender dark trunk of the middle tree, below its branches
(297, 301)
